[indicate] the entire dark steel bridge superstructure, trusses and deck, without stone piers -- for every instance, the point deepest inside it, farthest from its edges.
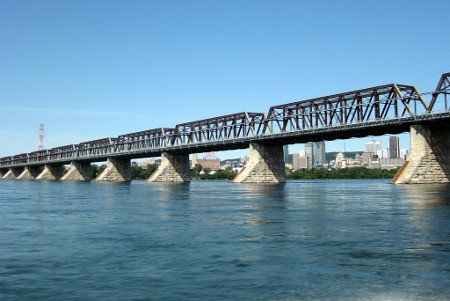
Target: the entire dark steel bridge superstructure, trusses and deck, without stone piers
(391, 108)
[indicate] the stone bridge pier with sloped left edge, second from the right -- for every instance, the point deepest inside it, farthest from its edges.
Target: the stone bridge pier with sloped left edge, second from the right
(266, 165)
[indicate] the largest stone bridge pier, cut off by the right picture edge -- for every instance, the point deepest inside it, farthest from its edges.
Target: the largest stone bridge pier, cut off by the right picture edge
(429, 161)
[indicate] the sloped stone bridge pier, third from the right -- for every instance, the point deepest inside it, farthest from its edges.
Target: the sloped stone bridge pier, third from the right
(174, 168)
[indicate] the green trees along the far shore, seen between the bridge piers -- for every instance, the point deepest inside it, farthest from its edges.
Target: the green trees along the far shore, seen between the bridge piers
(199, 173)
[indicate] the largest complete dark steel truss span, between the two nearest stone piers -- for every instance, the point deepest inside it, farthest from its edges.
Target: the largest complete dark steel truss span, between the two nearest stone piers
(376, 103)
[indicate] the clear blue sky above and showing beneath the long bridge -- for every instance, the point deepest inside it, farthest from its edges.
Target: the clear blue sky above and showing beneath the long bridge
(94, 69)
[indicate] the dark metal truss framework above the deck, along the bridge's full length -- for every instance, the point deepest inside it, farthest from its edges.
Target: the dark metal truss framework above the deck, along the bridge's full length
(366, 106)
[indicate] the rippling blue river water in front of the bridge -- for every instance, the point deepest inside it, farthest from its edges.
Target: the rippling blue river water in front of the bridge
(213, 240)
